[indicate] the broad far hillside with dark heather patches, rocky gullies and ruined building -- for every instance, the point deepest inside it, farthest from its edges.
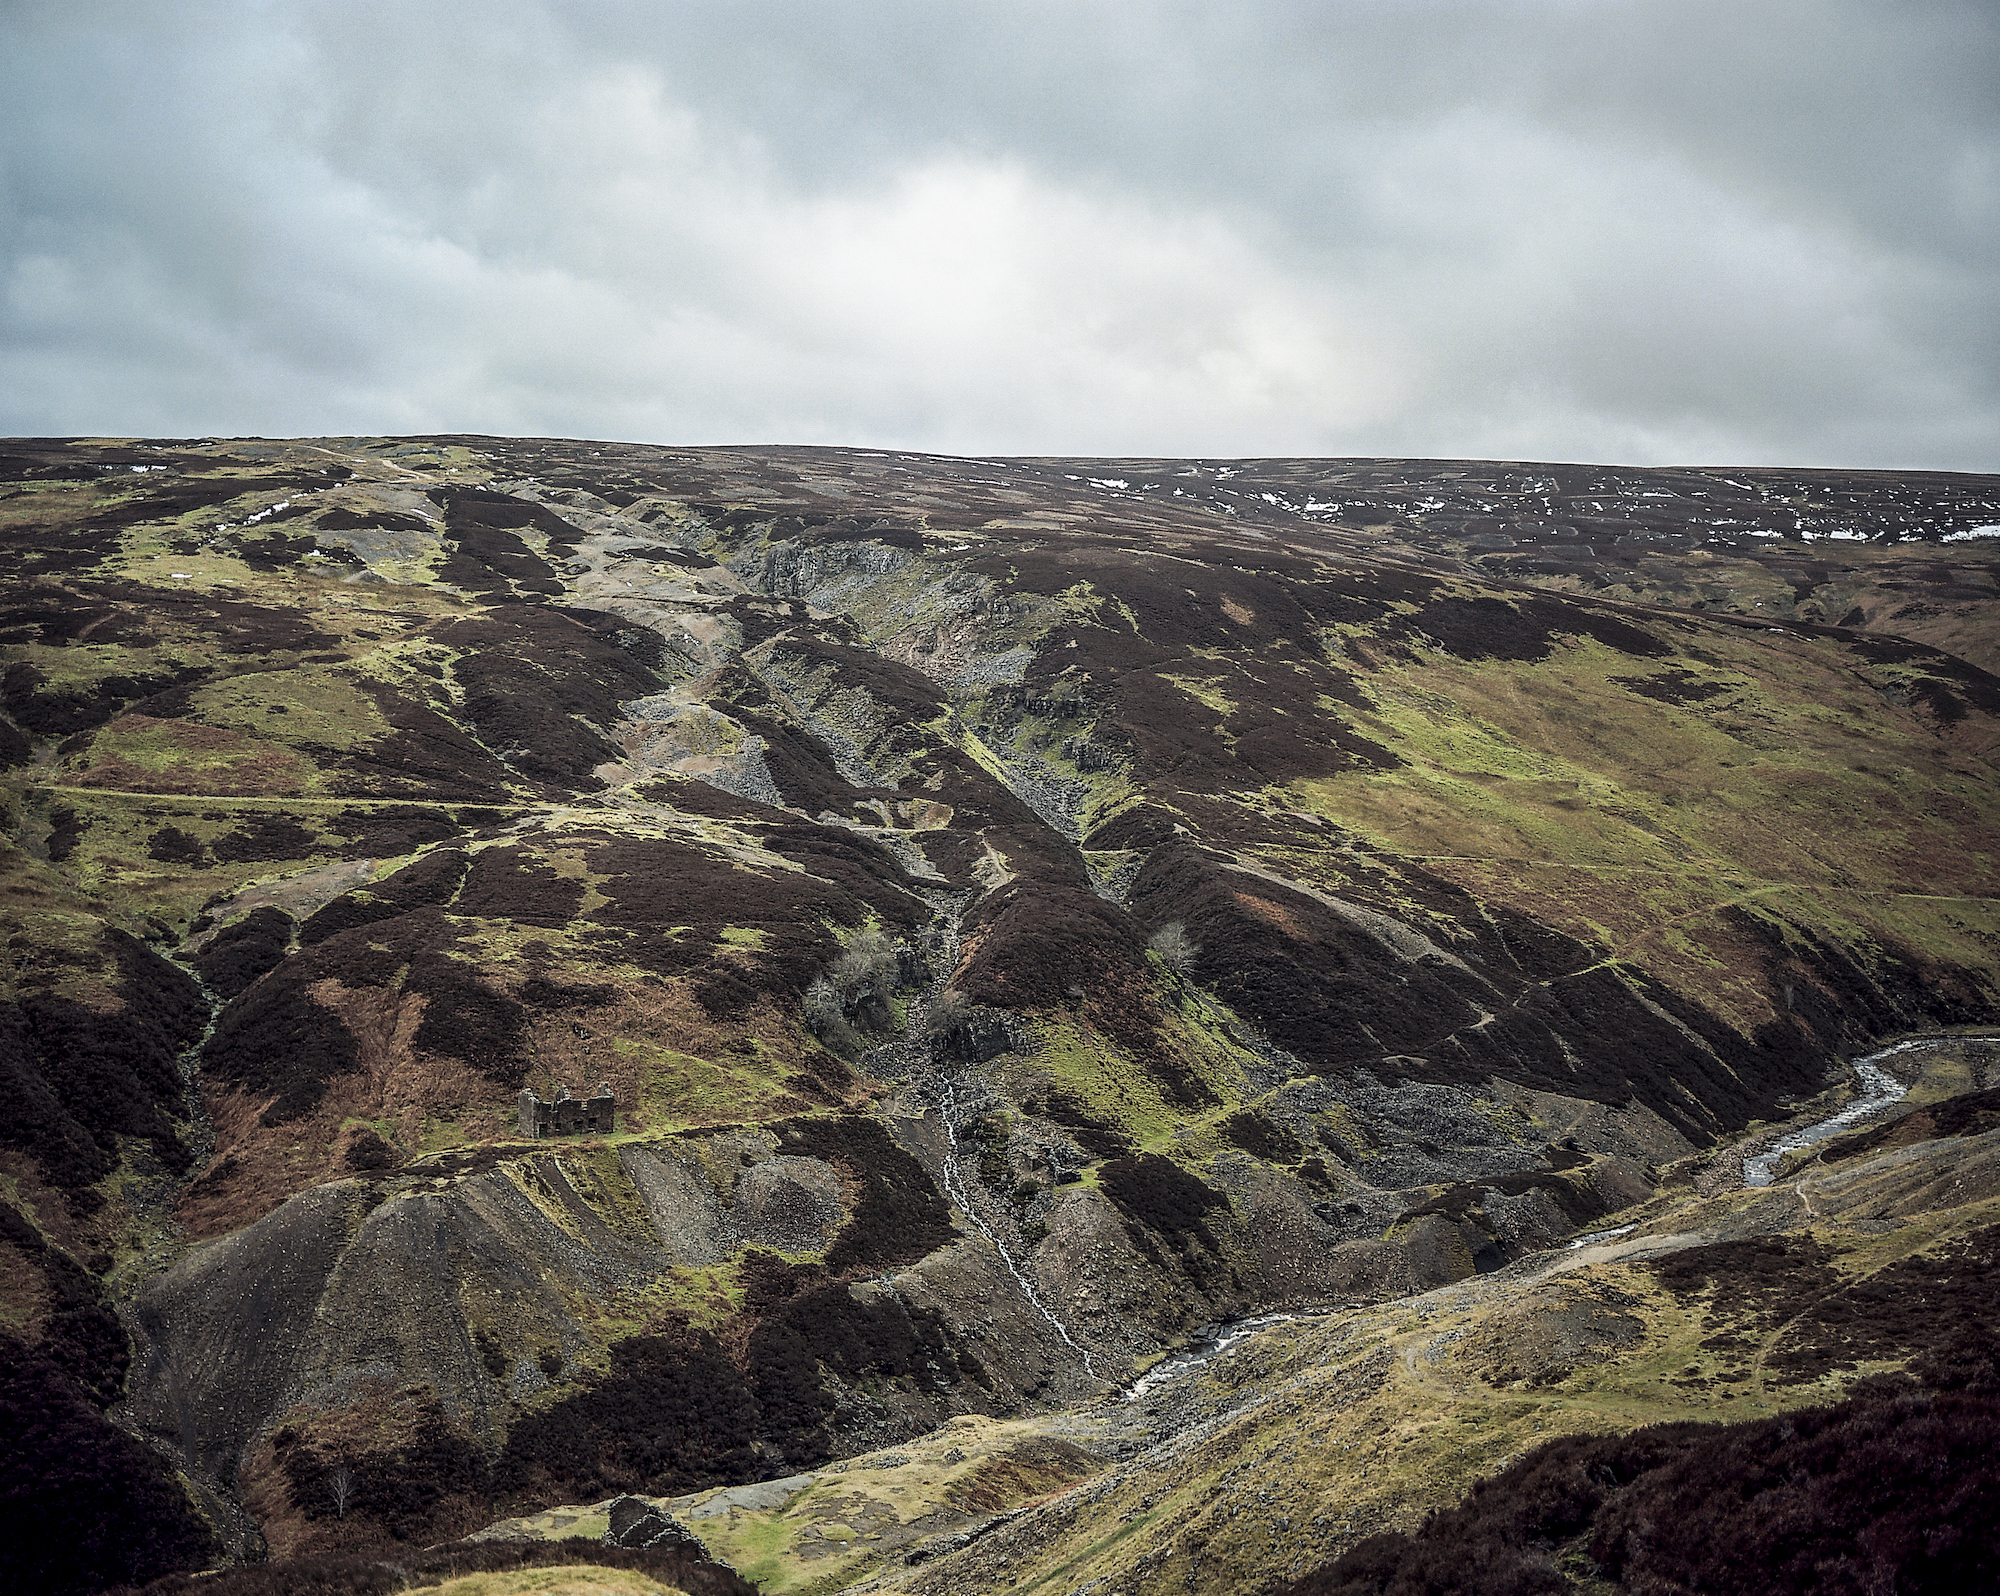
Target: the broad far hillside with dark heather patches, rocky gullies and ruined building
(1025, 913)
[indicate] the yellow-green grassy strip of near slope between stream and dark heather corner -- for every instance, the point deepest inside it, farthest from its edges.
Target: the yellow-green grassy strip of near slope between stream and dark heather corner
(1297, 1439)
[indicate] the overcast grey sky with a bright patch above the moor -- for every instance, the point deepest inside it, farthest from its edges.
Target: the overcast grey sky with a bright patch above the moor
(1625, 231)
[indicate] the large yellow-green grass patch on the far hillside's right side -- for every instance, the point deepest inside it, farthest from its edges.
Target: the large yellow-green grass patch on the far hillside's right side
(1795, 797)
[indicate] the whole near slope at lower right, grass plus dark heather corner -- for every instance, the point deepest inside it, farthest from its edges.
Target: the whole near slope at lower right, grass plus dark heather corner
(1255, 1463)
